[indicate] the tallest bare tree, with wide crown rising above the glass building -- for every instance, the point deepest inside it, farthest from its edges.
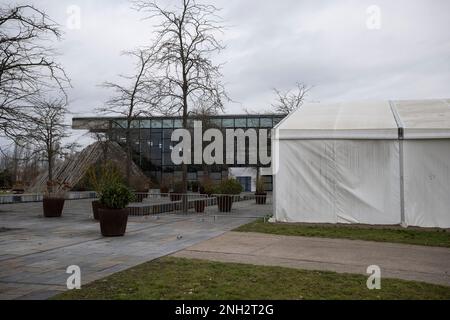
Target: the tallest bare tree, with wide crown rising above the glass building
(186, 39)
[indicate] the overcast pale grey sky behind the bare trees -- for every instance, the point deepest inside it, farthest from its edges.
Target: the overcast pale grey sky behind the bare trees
(270, 44)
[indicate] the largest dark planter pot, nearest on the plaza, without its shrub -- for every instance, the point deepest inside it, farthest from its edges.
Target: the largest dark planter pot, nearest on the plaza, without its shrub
(113, 222)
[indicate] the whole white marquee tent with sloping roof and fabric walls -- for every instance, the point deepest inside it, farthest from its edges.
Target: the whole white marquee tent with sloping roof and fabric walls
(364, 162)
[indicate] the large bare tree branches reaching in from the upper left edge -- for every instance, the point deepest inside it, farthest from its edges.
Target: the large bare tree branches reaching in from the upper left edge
(27, 66)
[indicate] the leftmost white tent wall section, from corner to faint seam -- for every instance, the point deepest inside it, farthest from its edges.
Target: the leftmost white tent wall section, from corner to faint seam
(305, 182)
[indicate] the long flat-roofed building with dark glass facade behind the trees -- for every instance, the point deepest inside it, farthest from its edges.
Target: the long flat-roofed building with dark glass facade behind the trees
(152, 145)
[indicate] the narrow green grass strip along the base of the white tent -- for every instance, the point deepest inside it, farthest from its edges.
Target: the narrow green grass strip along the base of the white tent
(438, 238)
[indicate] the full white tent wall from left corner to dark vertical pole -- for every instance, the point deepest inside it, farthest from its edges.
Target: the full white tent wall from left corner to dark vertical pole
(338, 181)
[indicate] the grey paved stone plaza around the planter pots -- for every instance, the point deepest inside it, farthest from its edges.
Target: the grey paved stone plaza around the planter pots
(35, 252)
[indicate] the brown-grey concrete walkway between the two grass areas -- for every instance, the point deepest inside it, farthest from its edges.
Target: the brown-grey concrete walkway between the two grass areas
(419, 263)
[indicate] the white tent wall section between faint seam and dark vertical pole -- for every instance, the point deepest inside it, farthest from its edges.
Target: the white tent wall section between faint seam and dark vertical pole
(368, 188)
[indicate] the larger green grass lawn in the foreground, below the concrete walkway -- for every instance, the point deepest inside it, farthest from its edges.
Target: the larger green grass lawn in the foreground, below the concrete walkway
(179, 279)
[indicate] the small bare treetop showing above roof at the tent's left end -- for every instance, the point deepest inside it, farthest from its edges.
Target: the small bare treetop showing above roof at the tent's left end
(291, 100)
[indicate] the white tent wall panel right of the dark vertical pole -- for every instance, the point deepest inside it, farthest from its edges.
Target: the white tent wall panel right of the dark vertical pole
(427, 183)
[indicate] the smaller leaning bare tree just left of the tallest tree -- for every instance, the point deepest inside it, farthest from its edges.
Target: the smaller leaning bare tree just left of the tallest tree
(133, 99)
